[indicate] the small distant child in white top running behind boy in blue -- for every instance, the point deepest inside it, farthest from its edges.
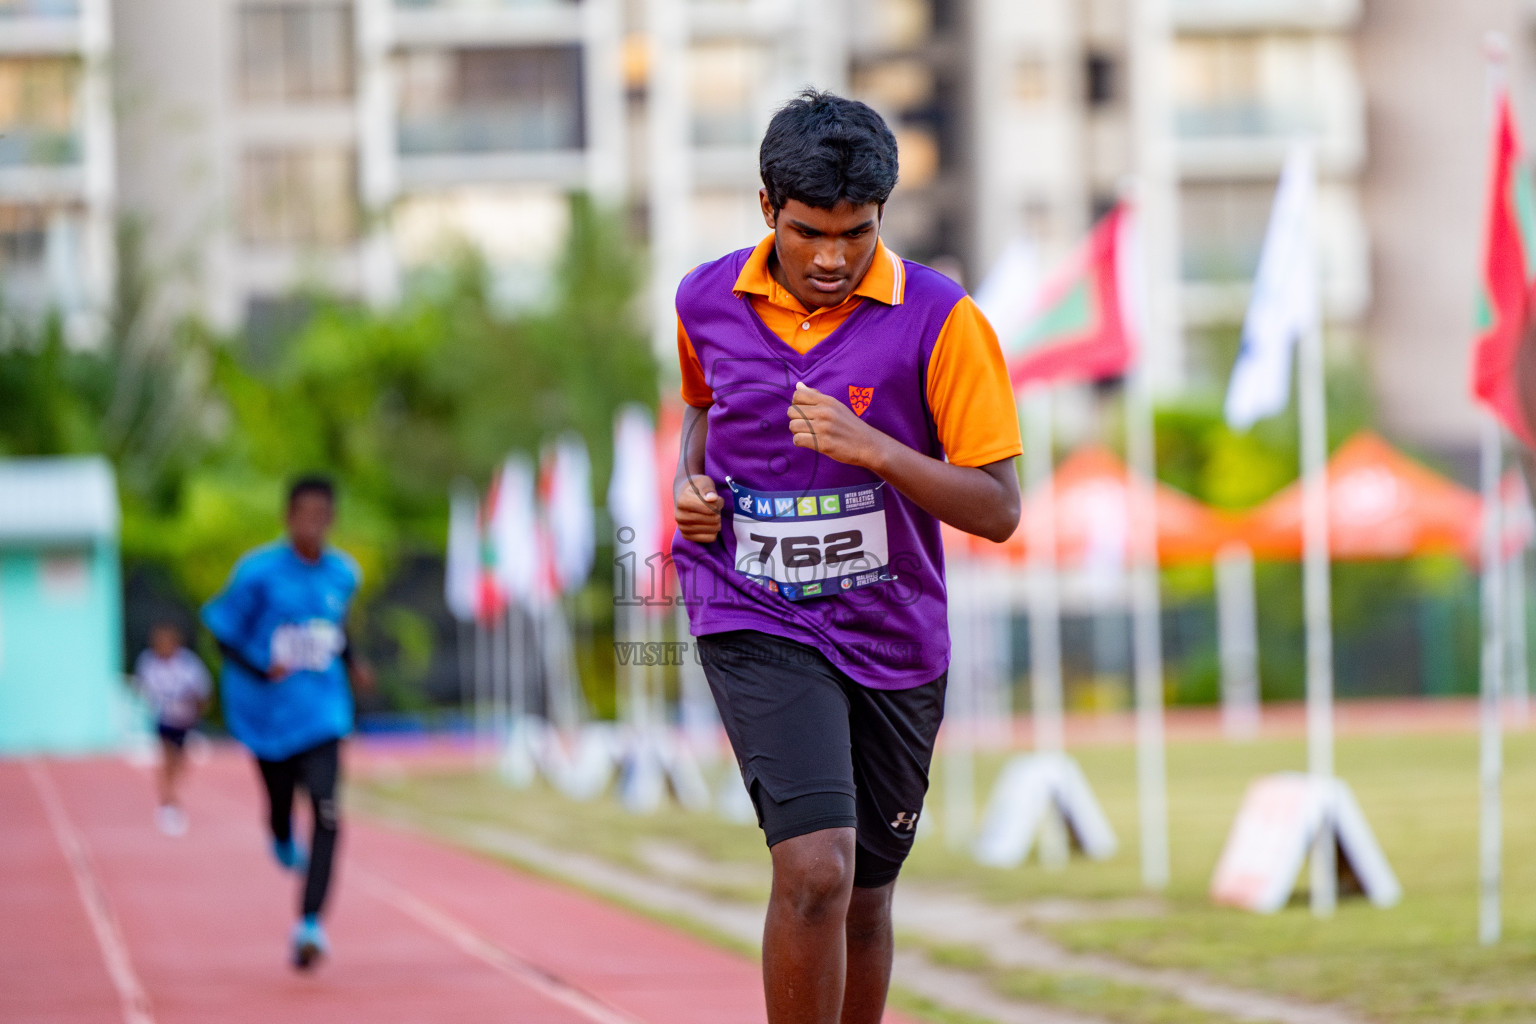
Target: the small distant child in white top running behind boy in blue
(177, 687)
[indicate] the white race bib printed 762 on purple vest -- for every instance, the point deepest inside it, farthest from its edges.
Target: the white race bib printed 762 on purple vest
(812, 544)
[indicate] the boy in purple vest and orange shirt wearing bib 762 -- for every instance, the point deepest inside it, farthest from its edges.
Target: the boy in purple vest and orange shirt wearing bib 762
(842, 405)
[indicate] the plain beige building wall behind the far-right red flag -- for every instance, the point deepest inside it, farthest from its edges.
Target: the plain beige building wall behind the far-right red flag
(1425, 196)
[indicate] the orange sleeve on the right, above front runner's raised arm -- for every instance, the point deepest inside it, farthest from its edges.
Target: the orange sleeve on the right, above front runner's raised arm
(970, 392)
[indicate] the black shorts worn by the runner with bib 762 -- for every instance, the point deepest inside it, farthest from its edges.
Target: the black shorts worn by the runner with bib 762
(819, 751)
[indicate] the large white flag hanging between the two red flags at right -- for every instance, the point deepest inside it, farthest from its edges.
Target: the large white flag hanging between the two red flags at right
(1285, 300)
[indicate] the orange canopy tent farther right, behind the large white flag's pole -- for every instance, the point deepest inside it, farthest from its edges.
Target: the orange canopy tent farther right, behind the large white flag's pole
(1382, 506)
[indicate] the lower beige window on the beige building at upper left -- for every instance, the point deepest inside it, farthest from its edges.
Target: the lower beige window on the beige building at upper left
(299, 197)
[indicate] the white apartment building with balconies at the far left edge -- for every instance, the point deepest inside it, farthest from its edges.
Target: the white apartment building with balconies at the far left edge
(58, 173)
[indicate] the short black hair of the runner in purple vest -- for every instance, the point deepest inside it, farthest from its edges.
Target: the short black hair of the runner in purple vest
(823, 150)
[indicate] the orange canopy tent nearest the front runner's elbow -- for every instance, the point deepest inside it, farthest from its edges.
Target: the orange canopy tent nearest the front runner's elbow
(1093, 518)
